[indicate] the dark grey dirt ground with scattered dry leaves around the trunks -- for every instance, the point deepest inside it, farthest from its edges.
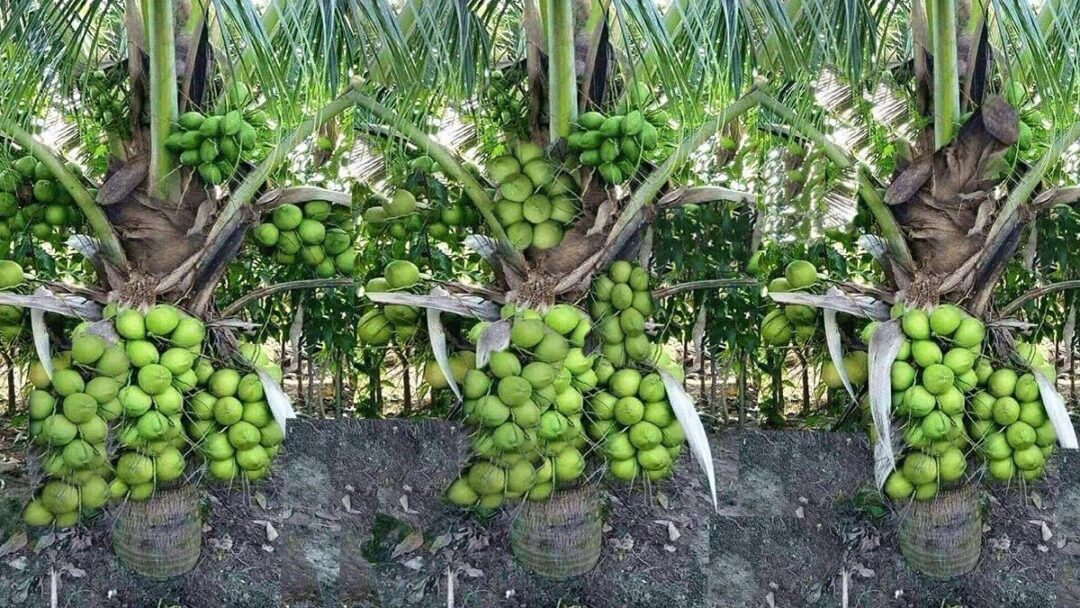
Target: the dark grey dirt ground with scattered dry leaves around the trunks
(796, 525)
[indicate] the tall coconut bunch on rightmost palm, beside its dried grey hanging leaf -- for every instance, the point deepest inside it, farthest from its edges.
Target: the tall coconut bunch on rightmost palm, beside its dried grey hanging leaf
(939, 367)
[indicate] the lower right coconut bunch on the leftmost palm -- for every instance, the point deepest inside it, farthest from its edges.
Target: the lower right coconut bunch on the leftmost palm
(231, 420)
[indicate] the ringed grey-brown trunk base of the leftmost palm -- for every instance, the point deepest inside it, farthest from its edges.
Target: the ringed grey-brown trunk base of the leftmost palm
(160, 538)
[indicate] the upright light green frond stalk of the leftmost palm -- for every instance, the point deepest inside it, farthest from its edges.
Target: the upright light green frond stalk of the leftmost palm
(165, 181)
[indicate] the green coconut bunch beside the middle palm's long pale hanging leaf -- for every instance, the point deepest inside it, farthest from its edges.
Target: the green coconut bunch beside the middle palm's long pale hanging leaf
(634, 424)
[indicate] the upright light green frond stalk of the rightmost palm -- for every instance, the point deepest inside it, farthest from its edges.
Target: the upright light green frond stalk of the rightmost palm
(947, 78)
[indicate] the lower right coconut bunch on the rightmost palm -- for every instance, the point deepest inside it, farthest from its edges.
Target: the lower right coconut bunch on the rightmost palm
(1009, 421)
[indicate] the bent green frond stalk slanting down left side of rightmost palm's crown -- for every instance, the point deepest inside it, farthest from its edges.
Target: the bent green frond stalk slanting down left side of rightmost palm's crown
(898, 246)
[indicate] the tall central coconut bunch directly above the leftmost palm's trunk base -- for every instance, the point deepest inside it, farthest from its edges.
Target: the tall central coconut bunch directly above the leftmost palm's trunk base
(161, 354)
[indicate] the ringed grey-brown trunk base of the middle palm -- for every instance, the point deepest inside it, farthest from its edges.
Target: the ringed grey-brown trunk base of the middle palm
(562, 537)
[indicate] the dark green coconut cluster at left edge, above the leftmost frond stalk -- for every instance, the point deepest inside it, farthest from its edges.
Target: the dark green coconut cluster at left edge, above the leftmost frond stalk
(31, 199)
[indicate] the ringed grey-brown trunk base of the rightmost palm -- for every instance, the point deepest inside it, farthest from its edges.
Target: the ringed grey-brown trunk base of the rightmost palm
(943, 538)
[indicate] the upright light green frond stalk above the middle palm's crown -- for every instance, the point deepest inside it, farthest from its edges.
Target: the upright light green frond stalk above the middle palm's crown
(562, 77)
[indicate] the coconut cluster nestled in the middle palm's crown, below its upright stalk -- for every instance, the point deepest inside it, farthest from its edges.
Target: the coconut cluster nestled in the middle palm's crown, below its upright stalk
(535, 201)
